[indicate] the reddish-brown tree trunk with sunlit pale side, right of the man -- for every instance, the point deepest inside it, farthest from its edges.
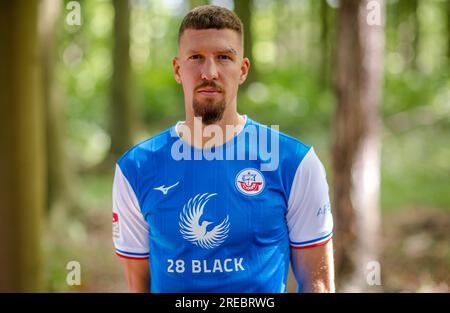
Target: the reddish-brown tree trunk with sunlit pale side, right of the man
(356, 147)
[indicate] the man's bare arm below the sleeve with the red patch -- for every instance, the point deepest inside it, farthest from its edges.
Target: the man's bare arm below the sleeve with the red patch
(137, 273)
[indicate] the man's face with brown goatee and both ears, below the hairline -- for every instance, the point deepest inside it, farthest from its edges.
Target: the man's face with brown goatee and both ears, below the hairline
(210, 66)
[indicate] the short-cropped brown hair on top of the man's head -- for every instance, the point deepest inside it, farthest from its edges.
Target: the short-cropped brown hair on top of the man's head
(211, 16)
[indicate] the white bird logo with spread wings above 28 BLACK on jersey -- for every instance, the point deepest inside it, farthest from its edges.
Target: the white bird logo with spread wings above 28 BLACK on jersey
(190, 226)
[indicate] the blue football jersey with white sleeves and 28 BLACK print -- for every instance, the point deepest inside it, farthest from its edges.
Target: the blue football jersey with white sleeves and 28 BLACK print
(219, 224)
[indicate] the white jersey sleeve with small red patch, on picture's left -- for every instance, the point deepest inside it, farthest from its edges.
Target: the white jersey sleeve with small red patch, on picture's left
(130, 230)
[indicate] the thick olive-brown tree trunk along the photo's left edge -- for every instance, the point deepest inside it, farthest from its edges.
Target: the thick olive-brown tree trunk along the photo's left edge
(22, 179)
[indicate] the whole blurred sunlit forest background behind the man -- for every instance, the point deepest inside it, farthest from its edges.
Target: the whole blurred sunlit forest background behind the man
(365, 82)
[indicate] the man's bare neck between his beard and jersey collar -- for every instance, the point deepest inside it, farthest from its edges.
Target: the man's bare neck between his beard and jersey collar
(216, 134)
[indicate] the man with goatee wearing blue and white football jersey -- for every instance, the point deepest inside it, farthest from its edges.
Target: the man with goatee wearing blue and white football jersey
(225, 223)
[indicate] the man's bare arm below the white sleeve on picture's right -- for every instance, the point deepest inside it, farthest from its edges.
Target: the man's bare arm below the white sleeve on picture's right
(314, 268)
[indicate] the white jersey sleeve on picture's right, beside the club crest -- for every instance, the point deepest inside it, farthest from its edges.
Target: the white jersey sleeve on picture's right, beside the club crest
(309, 217)
